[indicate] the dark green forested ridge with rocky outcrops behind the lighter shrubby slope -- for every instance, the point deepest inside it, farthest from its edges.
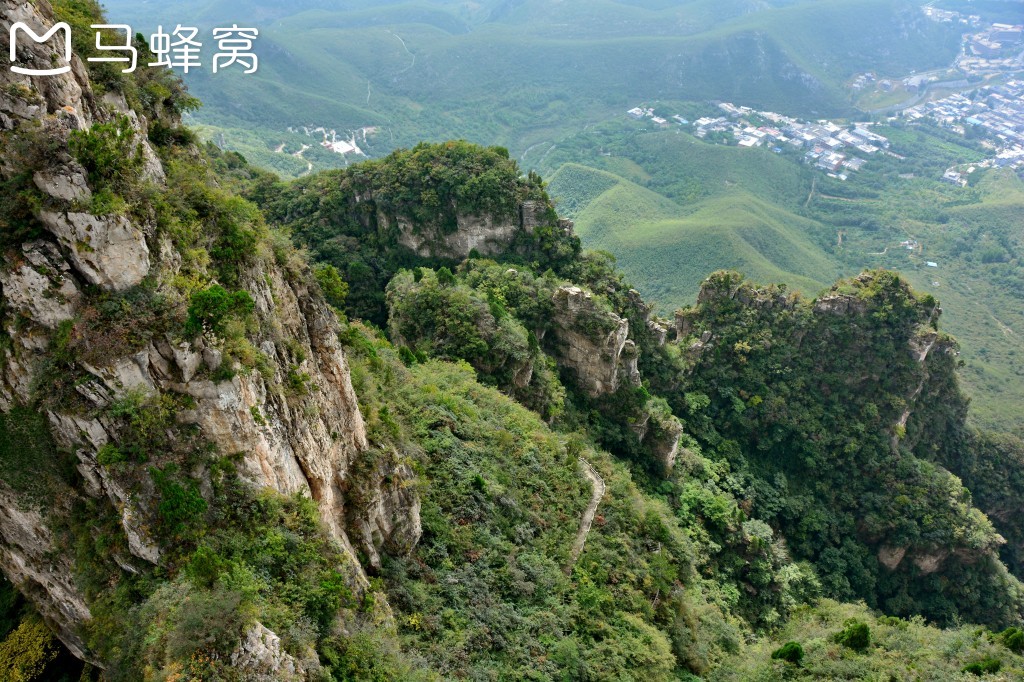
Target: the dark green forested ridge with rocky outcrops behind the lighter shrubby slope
(799, 397)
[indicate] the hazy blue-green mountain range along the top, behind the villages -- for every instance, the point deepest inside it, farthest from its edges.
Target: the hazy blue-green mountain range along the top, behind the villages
(522, 73)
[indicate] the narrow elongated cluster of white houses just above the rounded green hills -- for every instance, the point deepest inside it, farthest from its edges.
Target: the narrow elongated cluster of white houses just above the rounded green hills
(826, 145)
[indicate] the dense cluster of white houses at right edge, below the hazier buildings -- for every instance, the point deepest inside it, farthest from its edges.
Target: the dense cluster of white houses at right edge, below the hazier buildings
(997, 109)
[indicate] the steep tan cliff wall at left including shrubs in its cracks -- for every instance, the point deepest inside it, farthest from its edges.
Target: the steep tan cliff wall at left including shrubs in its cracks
(293, 423)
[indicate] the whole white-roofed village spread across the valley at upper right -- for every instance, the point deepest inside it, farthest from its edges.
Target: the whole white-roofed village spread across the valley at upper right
(987, 104)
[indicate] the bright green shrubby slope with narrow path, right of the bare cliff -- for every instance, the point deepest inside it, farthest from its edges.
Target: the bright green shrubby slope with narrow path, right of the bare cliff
(486, 594)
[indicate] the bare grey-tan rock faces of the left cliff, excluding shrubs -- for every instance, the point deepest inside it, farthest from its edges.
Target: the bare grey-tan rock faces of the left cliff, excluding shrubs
(293, 442)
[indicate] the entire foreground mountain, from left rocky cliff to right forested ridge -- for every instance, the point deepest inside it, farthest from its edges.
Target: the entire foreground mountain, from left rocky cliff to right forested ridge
(210, 468)
